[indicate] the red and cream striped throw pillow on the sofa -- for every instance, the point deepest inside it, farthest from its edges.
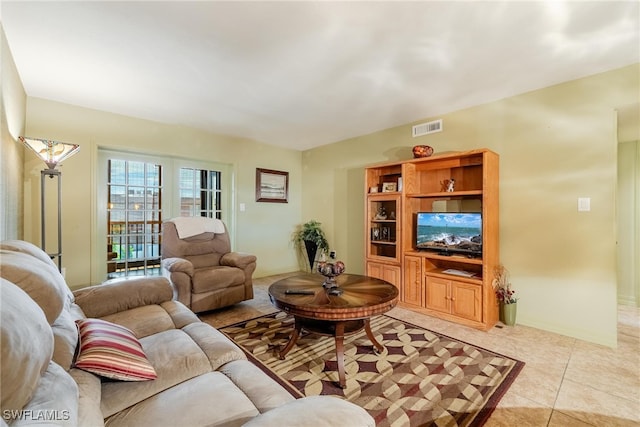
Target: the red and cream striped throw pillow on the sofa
(112, 351)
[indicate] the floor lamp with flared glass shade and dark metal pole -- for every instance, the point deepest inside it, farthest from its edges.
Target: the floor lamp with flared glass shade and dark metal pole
(52, 153)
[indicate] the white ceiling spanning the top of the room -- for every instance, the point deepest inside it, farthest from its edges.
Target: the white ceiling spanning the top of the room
(303, 74)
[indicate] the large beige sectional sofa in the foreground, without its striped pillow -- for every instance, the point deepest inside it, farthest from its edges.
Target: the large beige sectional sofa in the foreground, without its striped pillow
(202, 378)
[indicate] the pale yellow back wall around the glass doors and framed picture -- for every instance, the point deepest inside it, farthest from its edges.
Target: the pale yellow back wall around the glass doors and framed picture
(264, 229)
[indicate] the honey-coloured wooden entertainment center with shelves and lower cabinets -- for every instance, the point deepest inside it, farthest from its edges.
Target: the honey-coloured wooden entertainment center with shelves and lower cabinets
(455, 287)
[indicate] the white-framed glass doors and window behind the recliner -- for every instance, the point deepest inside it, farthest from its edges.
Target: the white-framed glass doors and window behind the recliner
(136, 193)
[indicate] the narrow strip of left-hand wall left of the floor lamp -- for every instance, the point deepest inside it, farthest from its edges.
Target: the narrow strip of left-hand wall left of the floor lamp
(12, 119)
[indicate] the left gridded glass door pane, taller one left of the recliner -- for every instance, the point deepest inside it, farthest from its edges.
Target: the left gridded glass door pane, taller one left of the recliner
(134, 218)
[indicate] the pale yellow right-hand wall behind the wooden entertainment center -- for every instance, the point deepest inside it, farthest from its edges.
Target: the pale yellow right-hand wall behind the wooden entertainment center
(556, 144)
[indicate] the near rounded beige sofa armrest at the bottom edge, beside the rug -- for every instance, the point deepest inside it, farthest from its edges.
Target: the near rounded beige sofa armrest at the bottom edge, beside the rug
(315, 411)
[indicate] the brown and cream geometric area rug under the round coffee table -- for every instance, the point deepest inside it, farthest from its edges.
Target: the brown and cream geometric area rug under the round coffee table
(421, 378)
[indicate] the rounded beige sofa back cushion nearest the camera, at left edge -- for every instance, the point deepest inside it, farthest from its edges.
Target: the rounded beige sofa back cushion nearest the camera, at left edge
(26, 343)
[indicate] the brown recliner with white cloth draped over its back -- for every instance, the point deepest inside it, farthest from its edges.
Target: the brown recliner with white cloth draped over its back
(197, 259)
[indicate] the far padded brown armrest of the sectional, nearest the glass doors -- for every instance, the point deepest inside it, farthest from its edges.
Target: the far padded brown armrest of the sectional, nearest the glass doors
(119, 295)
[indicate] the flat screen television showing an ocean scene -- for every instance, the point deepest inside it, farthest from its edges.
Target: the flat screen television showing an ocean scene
(449, 233)
